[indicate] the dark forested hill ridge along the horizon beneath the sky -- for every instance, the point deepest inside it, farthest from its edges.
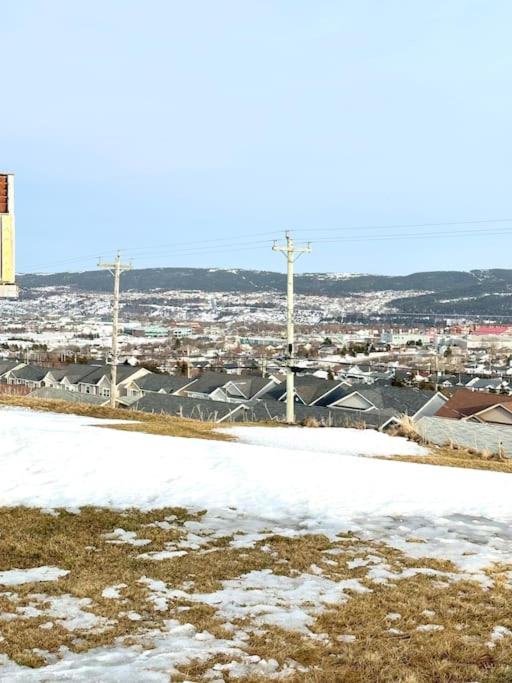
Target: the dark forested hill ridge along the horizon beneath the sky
(476, 291)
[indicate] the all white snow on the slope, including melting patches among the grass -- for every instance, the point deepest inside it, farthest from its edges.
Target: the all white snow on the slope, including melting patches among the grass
(275, 482)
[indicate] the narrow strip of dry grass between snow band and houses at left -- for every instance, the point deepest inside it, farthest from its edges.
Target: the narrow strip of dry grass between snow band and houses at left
(164, 425)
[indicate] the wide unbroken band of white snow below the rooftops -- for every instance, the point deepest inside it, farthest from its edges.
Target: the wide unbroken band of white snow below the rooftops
(305, 478)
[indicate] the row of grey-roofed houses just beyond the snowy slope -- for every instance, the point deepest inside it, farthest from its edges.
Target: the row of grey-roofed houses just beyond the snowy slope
(220, 397)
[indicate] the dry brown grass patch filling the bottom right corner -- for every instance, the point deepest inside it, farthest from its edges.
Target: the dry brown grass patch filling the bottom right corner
(458, 654)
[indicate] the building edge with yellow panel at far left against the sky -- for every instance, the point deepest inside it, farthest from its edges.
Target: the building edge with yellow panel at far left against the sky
(8, 286)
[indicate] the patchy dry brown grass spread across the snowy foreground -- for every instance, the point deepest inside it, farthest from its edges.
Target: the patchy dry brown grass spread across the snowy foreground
(79, 543)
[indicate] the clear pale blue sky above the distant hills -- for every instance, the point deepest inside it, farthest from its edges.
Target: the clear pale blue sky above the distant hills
(193, 133)
